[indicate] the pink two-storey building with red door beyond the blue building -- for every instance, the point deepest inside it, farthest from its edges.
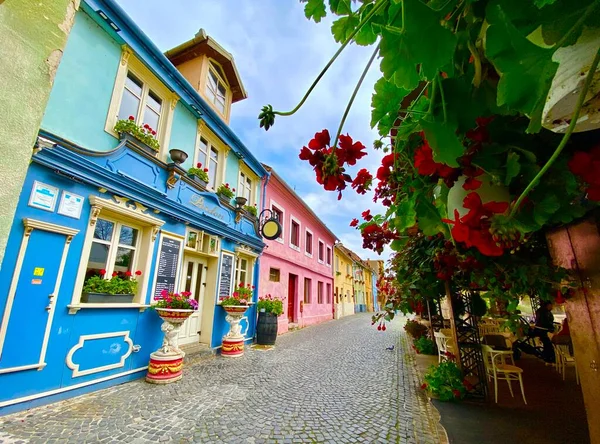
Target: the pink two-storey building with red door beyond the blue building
(298, 265)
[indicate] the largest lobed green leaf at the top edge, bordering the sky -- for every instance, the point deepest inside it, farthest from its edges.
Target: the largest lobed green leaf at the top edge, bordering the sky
(422, 42)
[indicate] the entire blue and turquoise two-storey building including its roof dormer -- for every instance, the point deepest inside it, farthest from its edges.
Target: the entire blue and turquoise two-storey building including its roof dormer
(98, 202)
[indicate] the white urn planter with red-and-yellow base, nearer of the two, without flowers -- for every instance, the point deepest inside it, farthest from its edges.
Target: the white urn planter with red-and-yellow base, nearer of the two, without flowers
(166, 364)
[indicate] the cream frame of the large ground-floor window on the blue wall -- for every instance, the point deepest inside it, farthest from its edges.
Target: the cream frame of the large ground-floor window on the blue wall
(132, 215)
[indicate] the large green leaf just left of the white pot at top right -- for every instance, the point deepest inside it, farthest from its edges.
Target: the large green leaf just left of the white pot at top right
(526, 70)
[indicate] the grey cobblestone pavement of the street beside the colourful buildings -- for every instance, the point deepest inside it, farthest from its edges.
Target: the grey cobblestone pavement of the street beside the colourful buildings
(334, 382)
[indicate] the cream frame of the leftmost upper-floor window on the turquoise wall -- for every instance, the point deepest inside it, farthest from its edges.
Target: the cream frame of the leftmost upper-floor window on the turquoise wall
(130, 63)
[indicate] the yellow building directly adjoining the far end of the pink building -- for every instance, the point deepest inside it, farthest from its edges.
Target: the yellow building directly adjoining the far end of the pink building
(343, 281)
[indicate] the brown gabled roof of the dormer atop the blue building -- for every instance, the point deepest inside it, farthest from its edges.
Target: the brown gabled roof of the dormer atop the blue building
(204, 44)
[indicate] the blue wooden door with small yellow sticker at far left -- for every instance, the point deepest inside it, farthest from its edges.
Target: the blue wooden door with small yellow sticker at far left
(29, 314)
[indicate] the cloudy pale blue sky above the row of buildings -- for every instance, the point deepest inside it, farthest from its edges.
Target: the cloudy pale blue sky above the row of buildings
(278, 53)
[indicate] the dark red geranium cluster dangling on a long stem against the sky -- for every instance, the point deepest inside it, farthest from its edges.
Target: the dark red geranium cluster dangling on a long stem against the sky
(328, 162)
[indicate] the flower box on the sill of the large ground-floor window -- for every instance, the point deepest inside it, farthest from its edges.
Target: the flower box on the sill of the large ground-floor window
(120, 288)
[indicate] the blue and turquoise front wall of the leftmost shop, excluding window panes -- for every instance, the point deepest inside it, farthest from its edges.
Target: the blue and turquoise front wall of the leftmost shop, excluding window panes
(53, 344)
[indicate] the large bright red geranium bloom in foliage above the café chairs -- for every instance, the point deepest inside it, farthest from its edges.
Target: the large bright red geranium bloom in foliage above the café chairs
(473, 229)
